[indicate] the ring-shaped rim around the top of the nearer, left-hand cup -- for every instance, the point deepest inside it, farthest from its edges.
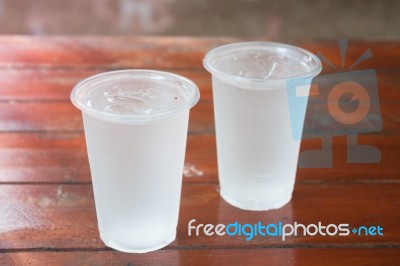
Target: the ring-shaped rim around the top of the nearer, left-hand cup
(83, 86)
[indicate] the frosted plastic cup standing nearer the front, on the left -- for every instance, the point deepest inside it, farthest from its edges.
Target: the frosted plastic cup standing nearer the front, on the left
(136, 125)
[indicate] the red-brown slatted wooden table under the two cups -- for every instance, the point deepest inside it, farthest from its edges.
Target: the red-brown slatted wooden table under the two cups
(47, 214)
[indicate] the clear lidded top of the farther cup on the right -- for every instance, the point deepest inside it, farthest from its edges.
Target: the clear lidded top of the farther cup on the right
(261, 64)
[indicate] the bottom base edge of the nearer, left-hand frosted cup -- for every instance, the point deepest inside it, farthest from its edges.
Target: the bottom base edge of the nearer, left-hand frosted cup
(125, 247)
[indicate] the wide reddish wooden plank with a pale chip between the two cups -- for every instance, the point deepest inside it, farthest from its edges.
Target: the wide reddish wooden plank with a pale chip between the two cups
(61, 158)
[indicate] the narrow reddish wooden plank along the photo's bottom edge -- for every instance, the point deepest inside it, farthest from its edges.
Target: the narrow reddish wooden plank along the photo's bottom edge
(275, 256)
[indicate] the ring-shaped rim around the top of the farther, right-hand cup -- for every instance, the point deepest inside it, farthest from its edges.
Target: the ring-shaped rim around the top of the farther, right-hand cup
(259, 82)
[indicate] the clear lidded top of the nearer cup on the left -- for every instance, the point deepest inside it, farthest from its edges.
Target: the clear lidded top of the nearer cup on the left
(135, 96)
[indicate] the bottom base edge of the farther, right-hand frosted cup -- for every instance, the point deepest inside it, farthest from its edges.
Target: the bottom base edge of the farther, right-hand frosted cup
(256, 205)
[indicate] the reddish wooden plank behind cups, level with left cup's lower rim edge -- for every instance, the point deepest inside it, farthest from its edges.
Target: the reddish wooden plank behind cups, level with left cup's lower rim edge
(63, 116)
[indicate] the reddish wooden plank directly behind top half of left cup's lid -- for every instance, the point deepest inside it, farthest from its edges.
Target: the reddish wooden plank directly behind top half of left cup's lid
(56, 84)
